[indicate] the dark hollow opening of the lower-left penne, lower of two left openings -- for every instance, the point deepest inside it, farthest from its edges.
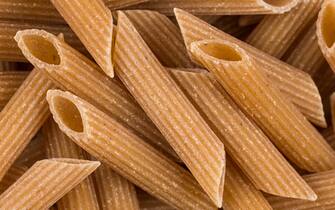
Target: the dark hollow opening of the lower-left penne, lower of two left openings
(68, 113)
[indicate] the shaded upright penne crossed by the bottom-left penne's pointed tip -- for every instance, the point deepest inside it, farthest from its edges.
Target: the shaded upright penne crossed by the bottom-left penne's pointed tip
(58, 145)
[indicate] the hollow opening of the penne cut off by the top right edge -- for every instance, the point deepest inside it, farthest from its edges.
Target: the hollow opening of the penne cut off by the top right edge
(328, 25)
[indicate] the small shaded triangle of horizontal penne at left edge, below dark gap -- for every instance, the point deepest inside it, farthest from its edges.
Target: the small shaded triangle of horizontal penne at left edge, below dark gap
(10, 81)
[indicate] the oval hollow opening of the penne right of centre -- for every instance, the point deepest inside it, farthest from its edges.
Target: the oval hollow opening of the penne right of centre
(221, 51)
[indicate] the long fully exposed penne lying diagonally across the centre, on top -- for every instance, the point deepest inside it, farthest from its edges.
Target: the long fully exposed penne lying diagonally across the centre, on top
(171, 111)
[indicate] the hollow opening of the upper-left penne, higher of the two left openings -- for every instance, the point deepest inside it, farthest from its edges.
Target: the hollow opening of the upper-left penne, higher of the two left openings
(42, 49)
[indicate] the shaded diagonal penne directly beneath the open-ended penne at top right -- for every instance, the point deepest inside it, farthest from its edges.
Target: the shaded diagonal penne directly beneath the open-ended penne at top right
(276, 33)
